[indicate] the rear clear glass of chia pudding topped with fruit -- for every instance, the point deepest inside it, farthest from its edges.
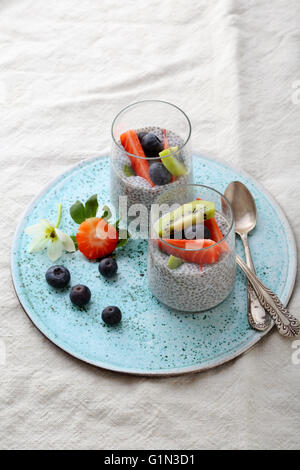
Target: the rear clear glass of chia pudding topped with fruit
(150, 152)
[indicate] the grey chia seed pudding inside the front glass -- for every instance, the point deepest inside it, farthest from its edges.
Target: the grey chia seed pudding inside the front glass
(192, 287)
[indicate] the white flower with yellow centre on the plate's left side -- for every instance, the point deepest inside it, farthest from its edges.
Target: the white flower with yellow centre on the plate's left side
(46, 235)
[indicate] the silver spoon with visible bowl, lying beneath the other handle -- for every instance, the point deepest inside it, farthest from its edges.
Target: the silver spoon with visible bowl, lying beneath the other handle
(245, 216)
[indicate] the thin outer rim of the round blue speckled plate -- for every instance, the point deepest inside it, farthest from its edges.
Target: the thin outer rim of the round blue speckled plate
(177, 371)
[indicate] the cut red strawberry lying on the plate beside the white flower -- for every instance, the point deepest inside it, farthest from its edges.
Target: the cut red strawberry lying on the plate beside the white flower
(96, 238)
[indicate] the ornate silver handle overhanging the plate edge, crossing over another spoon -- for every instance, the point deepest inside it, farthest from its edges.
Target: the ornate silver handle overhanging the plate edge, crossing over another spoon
(286, 323)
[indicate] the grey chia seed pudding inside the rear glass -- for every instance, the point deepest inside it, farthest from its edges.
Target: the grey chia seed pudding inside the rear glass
(137, 189)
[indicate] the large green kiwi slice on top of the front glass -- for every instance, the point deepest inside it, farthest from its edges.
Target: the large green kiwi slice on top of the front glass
(191, 213)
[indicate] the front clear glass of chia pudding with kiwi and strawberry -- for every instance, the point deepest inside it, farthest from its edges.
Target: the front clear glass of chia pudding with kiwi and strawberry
(191, 250)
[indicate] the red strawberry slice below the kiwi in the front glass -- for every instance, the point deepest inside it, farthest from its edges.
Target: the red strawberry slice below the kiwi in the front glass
(199, 256)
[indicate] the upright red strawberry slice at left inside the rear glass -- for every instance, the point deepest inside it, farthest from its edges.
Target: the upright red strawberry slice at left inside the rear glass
(132, 145)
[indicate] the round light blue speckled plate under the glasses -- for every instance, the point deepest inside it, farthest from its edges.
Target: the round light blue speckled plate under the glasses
(151, 339)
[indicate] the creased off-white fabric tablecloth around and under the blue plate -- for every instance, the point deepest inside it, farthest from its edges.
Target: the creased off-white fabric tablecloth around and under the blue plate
(66, 68)
